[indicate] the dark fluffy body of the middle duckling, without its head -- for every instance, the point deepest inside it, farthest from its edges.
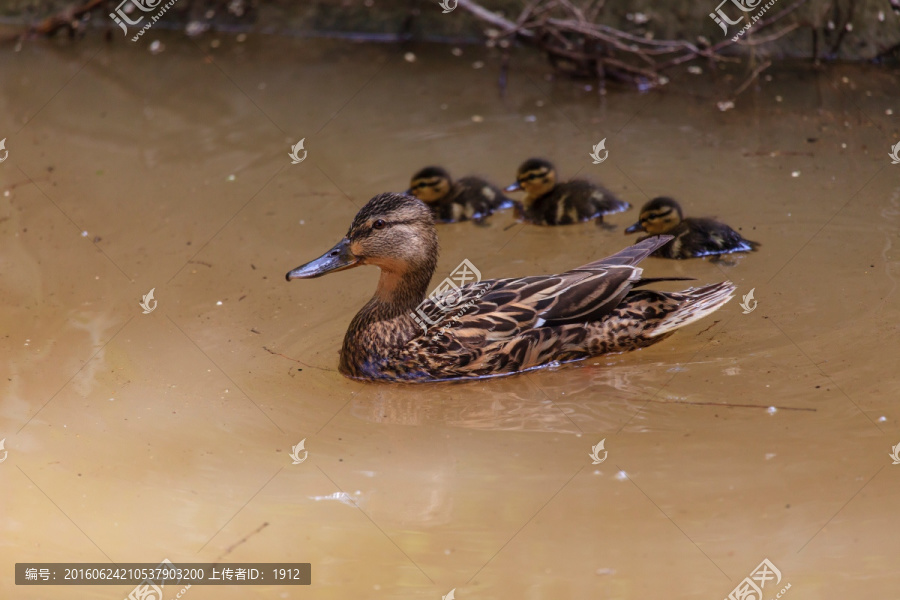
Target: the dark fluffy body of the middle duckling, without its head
(574, 202)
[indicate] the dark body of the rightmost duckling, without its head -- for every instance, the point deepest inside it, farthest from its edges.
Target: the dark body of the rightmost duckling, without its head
(695, 237)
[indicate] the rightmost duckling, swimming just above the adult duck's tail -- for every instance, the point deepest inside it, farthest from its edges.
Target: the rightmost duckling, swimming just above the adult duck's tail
(693, 237)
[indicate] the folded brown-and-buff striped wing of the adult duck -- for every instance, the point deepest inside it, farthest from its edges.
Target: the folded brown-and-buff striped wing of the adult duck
(506, 307)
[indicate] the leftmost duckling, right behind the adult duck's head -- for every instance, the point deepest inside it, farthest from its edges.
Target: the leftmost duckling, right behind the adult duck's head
(452, 201)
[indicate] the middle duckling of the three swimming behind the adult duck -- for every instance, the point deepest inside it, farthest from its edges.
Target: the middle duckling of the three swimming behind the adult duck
(550, 203)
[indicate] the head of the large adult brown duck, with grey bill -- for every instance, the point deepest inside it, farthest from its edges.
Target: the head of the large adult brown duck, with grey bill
(392, 231)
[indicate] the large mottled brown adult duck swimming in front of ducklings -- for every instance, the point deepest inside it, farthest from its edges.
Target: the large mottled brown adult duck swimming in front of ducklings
(492, 327)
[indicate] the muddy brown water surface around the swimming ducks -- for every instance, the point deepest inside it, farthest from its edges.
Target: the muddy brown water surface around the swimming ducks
(135, 437)
